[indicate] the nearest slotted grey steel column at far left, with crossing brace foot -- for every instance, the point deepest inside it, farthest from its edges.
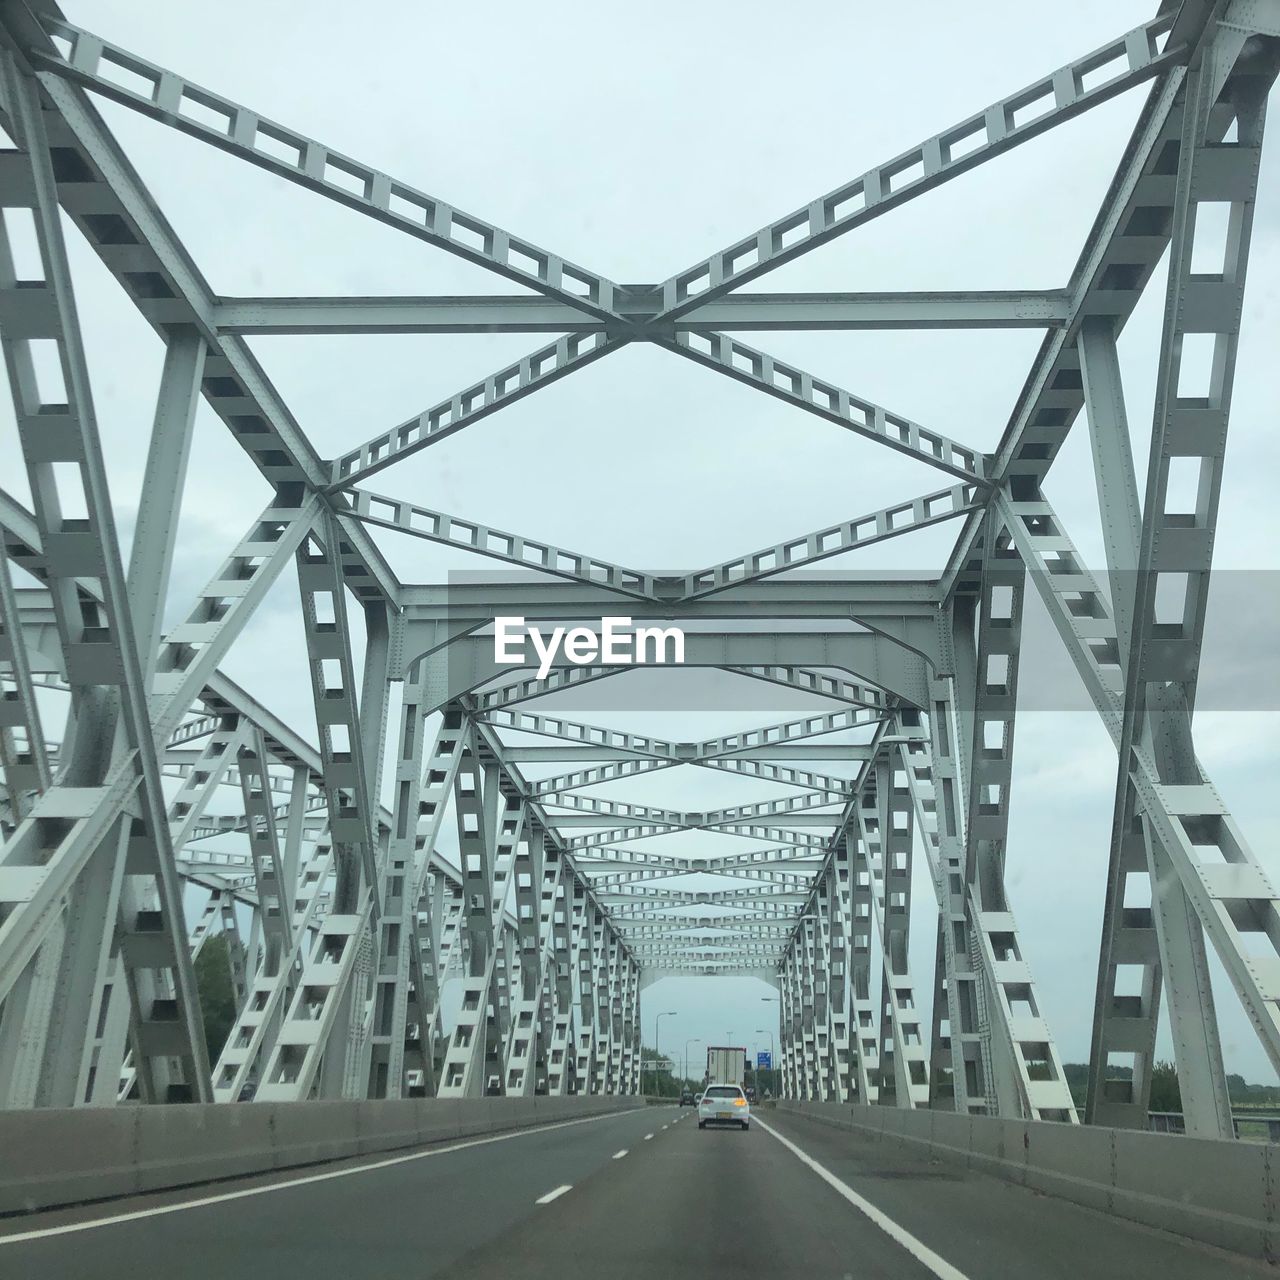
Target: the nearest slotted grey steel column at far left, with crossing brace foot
(58, 433)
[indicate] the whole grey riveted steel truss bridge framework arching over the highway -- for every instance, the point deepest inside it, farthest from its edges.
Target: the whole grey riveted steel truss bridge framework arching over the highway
(164, 784)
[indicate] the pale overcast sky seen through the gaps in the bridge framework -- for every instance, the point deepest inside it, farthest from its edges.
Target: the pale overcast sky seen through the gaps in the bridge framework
(637, 140)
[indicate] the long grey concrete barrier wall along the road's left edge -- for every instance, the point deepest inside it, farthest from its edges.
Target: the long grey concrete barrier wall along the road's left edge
(51, 1158)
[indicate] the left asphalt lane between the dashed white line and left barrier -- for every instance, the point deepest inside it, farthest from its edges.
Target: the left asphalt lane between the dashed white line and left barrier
(397, 1219)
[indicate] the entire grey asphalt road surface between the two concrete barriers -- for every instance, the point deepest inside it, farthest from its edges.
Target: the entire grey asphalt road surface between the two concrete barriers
(643, 1194)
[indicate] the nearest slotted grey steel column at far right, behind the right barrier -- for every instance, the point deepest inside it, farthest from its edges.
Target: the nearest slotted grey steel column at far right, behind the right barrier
(1162, 643)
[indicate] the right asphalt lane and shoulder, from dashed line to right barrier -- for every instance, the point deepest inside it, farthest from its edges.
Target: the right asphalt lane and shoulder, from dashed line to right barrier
(729, 1204)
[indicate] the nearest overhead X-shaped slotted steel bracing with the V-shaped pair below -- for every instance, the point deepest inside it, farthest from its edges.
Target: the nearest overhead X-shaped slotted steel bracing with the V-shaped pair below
(624, 314)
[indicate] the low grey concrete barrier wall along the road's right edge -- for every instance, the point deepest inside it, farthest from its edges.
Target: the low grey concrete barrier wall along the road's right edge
(1222, 1194)
